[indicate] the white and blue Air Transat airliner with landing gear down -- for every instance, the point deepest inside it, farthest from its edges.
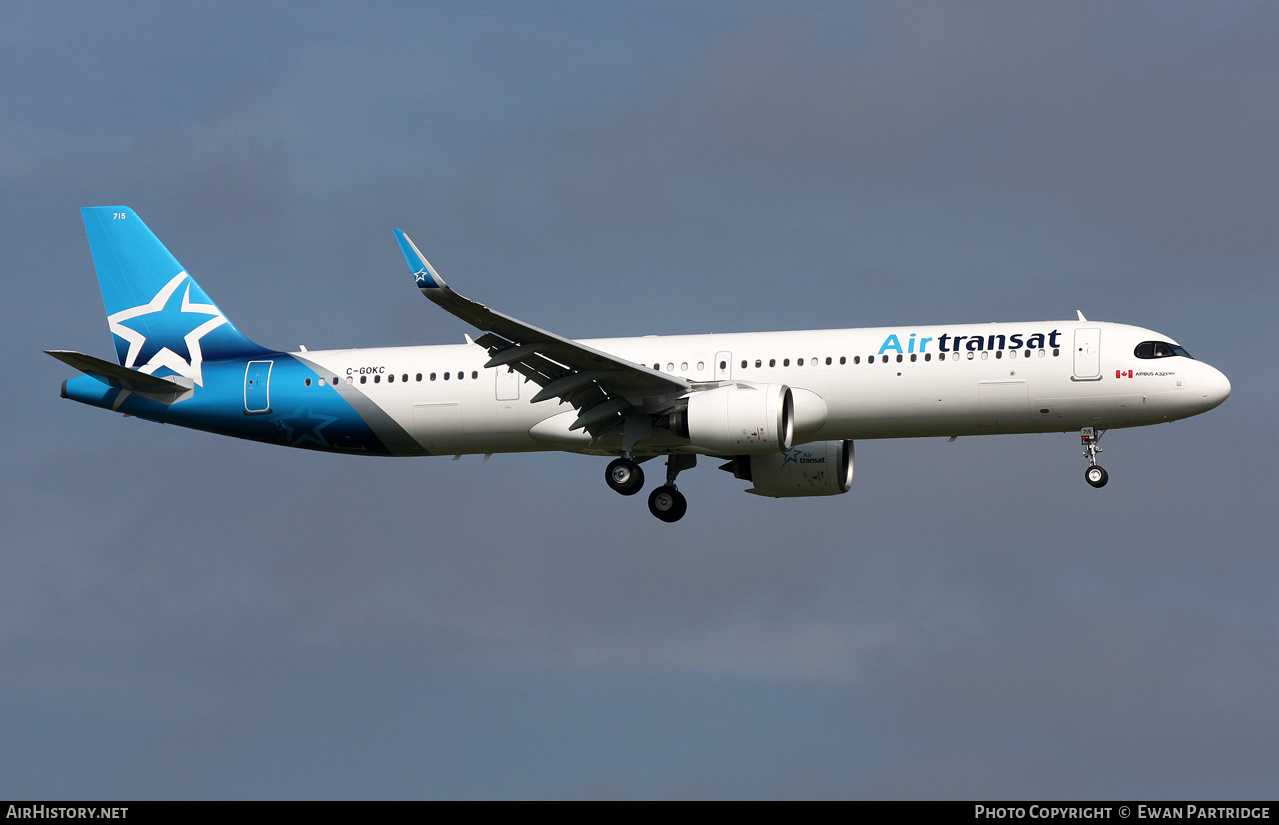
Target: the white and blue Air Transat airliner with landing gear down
(780, 410)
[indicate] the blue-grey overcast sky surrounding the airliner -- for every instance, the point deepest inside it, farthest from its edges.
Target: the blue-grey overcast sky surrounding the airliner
(185, 616)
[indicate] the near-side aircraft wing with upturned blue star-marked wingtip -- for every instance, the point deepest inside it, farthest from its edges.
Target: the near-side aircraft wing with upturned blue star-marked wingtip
(602, 387)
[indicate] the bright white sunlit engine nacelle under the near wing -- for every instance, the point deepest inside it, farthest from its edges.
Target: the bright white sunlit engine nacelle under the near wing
(739, 419)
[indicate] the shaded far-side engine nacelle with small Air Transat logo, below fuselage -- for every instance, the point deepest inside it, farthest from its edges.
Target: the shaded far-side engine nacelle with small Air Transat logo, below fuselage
(818, 469)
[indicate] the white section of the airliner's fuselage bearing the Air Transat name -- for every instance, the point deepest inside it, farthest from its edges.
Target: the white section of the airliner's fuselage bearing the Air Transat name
(849, 384)
